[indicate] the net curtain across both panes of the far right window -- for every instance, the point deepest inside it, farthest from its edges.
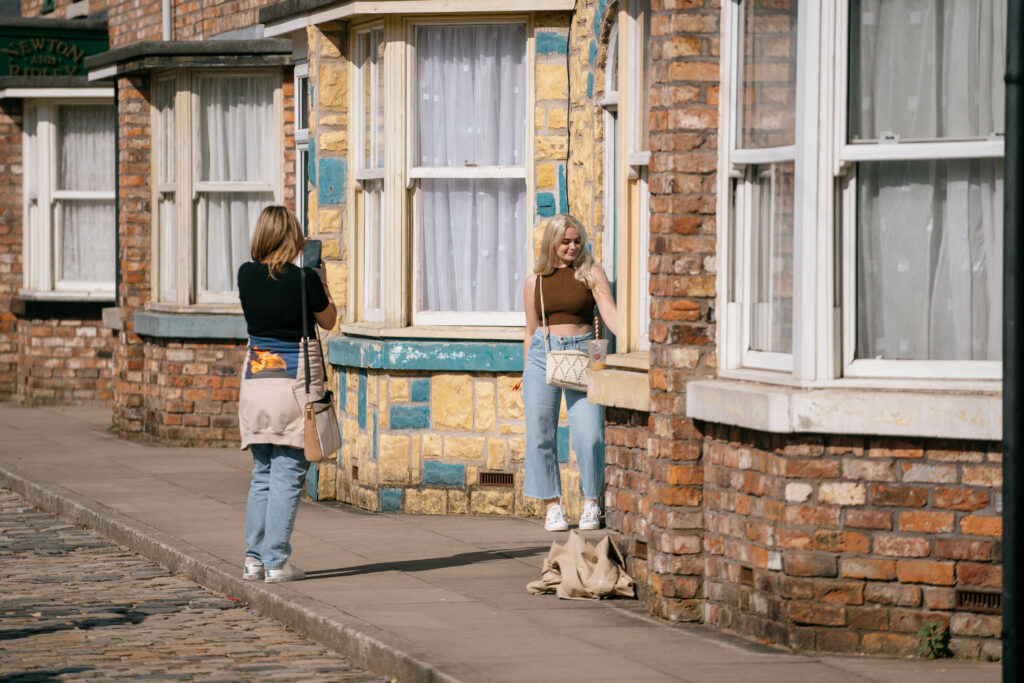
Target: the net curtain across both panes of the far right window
(930, 233)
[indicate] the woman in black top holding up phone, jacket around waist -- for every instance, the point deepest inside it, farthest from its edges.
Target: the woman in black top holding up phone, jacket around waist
(273, 390)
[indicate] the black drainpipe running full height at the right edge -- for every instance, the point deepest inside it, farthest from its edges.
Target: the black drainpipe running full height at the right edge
(1013, 347)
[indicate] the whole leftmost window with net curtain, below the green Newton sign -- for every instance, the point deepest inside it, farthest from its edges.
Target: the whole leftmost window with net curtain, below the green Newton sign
(69, 199)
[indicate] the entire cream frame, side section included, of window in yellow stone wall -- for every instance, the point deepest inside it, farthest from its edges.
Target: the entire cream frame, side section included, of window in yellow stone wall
(401, 180)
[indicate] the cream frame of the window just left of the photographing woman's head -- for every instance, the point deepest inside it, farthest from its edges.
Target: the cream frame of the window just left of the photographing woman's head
(189, 191)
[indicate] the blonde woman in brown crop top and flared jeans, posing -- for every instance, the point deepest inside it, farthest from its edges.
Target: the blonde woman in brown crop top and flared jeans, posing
(573, 285)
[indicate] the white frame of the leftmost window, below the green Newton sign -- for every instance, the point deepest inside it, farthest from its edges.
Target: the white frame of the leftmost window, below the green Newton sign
(41, 255)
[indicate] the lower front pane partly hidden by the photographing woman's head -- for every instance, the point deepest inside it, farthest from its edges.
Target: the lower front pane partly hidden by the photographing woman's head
(228, 221)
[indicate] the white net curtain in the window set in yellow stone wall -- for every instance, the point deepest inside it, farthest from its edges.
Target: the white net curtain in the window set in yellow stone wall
(472, 111)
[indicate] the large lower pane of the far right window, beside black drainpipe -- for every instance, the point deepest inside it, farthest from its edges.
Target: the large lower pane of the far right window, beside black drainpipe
(930, 261)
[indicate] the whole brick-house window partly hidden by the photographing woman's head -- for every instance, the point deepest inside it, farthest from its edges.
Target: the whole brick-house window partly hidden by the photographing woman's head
(218, 163)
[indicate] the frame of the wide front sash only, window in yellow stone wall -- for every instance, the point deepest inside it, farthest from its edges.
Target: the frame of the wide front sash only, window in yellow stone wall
(415, 174)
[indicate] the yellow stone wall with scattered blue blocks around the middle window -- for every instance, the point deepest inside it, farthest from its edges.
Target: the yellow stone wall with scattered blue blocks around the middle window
(476, 420)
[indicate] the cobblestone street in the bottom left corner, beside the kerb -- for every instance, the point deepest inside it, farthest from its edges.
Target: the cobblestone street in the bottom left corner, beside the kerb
(75, 607)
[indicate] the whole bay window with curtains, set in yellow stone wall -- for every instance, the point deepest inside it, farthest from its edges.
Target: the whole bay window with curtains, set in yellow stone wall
(462, 154)
